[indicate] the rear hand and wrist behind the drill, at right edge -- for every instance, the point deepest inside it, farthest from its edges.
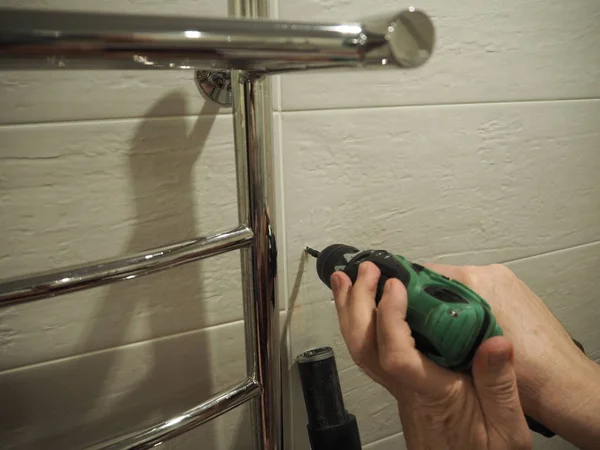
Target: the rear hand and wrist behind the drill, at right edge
(558, 385)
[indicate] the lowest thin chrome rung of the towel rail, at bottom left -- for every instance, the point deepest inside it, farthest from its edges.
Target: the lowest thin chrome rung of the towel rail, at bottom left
(210, 409)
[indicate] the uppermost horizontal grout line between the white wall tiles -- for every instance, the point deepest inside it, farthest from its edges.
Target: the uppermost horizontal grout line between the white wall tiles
(308, 110)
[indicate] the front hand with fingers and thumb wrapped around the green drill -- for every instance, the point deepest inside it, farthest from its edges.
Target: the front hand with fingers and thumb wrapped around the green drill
(438, 408)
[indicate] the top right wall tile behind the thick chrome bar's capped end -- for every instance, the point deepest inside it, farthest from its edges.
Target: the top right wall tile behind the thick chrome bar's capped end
(486, 51)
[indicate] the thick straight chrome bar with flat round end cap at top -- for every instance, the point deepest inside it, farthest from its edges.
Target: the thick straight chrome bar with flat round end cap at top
(65, 40)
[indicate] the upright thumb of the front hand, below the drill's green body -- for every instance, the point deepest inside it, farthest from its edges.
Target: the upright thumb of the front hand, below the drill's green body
(496, 385)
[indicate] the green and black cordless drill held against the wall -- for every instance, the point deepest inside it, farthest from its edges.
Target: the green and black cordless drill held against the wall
(448, 320)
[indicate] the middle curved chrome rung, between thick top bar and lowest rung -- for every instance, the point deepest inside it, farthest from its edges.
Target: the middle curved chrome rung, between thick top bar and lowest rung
(77, 278)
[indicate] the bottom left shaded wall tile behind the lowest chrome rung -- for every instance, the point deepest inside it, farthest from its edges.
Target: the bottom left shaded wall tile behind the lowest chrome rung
(76, 401)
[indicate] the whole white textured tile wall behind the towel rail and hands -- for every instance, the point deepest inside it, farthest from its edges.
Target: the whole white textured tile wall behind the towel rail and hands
(501, 165)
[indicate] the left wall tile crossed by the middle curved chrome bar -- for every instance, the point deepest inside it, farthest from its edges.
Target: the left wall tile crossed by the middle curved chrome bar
(74, 193)
